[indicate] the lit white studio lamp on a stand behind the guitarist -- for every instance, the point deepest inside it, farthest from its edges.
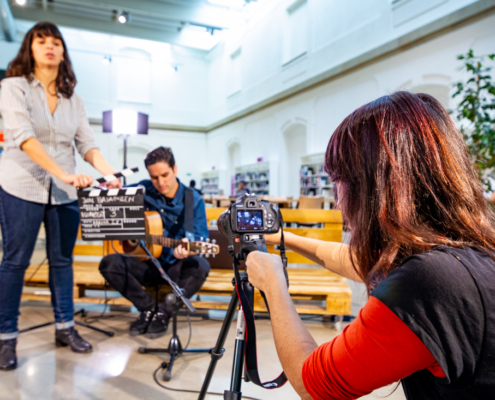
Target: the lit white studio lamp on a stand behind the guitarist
(125, 123)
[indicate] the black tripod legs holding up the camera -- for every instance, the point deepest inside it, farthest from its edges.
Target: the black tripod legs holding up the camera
(217, 352)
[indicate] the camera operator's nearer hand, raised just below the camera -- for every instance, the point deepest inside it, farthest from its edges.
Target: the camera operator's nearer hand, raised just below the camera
(265, 271)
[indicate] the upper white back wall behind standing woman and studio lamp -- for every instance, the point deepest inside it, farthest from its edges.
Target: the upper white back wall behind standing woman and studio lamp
(139, 77)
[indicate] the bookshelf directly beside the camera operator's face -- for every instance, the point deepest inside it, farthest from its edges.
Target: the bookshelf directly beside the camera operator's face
(314, 180)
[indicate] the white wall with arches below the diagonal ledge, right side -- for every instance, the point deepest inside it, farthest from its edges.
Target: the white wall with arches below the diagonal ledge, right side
(431, 66)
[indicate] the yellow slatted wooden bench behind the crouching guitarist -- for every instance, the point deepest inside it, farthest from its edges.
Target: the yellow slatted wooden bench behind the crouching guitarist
(315, 290)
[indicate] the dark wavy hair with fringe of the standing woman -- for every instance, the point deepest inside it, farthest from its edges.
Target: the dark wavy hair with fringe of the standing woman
(23, 63)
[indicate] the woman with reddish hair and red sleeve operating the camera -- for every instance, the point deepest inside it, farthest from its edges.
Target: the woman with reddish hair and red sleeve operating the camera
(422, 240)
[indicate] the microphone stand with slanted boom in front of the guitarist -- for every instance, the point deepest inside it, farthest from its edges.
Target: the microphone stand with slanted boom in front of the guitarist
(176, 300)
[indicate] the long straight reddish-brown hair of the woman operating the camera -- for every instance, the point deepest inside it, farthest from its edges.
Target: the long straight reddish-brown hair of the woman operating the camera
(405, 184)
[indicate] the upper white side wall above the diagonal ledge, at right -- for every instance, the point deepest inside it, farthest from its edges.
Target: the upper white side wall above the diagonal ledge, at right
(334, 31)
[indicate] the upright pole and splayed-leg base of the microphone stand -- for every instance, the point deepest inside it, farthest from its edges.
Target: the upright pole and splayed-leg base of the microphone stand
(174, 347)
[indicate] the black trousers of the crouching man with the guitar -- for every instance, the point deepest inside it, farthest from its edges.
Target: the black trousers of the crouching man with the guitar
(128, 275)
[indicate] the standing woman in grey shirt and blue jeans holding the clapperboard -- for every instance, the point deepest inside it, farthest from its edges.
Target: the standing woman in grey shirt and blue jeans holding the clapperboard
(42, 118)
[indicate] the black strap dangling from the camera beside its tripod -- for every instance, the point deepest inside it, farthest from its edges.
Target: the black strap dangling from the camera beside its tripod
(250, 350)
